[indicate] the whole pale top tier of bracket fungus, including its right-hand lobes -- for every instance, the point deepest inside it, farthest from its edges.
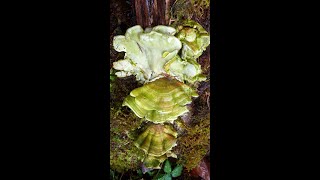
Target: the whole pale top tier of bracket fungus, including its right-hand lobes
(151, 53)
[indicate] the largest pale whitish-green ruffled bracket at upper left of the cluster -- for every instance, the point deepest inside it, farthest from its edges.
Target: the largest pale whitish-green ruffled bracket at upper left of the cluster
(146, 51)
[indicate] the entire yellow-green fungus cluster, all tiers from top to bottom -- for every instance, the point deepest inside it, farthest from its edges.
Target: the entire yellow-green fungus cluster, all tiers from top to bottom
(163, 59)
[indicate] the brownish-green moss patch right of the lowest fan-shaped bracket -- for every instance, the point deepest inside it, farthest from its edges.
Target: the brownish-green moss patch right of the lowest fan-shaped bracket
(195, 144)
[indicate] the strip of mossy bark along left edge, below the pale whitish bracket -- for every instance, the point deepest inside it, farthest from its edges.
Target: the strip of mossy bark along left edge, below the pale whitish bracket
(124, 155)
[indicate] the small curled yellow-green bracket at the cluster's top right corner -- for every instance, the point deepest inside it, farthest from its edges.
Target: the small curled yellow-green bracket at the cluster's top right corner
(195, 39)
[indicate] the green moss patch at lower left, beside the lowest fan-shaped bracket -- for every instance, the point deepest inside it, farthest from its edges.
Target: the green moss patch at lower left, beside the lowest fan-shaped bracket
(124, 155)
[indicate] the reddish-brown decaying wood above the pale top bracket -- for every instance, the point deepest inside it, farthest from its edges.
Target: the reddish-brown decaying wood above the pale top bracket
(151, 13)
